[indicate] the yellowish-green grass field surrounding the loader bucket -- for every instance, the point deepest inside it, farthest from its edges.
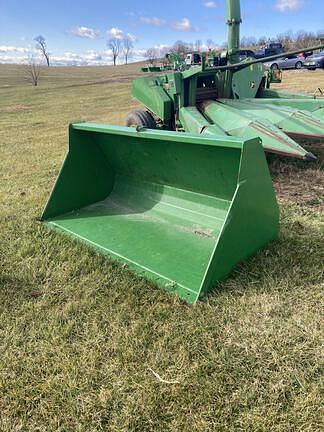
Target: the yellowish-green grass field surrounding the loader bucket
(81, 337)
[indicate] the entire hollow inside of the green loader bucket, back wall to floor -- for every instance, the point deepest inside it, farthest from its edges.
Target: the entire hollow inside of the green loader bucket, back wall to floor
(158, 206)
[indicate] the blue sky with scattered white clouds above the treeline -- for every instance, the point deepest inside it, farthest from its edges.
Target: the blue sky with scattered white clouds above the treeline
(77, 31)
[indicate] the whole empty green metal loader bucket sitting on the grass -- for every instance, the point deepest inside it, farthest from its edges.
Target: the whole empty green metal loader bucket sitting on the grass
(178, 208)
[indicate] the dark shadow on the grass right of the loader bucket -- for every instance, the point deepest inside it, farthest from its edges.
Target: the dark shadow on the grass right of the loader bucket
(293, 260)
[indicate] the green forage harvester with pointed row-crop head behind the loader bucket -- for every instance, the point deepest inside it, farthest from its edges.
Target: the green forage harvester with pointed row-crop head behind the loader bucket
(234, 99)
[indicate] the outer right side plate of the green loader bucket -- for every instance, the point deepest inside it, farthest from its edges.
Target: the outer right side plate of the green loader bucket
(252, 221)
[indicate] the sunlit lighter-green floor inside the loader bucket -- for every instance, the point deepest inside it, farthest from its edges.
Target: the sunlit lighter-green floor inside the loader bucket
(159, 229)
